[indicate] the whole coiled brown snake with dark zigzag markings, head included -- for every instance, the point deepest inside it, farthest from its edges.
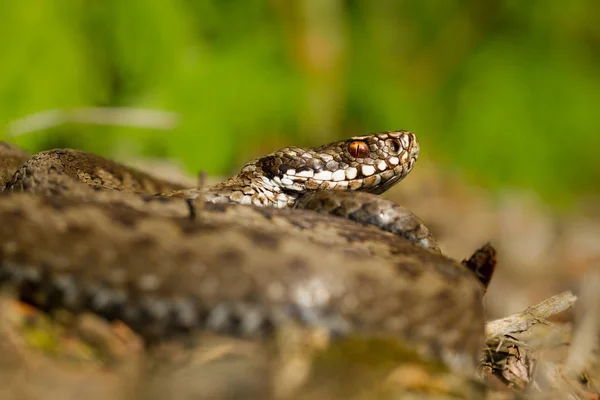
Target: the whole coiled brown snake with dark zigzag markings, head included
(242, 257)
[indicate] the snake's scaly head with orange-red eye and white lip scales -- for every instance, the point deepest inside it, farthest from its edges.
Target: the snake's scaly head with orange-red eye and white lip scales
(371, 163)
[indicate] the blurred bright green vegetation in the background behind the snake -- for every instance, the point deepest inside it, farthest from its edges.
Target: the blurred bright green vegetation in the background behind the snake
(505, 90)
